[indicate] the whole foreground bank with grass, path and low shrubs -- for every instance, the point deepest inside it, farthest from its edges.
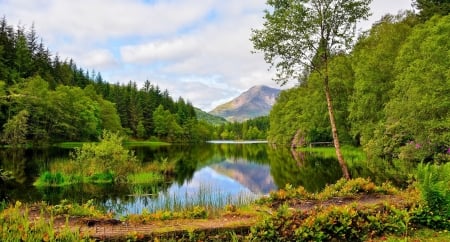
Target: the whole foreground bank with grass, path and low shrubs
(355, 210)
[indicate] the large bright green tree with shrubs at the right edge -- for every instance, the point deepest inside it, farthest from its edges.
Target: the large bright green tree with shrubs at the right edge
(417, 121)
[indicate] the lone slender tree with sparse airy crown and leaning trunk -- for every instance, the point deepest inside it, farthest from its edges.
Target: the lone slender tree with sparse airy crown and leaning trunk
(302, 35)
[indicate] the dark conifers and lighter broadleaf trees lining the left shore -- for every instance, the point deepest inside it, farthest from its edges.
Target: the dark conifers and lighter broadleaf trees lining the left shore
(45, 99)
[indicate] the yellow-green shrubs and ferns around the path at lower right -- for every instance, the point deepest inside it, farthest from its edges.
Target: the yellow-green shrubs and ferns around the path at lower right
(426, 203)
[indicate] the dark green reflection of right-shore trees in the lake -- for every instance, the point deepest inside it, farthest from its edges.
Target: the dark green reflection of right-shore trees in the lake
(313, 171)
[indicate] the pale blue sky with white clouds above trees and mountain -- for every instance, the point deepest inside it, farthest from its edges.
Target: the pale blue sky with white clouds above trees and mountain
(197, 49)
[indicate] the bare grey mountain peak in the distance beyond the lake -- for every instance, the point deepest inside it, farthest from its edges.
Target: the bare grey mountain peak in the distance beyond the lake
(255, 102)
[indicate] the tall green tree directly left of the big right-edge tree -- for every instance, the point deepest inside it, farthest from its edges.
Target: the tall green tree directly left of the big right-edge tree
(373, 58)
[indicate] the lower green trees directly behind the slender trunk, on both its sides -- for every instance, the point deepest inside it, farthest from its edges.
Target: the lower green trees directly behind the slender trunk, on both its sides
(303, 110)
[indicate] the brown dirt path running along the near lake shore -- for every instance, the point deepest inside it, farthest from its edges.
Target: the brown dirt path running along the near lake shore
(115, 230)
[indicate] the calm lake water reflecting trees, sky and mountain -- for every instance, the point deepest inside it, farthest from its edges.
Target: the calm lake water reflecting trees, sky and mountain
(220, 173)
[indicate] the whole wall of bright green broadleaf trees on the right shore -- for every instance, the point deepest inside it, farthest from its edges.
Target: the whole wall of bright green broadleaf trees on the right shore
(391, 93)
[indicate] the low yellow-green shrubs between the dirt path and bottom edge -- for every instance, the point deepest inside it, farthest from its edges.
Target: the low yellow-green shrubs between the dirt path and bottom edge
(342, 223)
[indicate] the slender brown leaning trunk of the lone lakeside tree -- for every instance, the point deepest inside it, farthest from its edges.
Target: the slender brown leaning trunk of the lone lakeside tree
(337, 145)
